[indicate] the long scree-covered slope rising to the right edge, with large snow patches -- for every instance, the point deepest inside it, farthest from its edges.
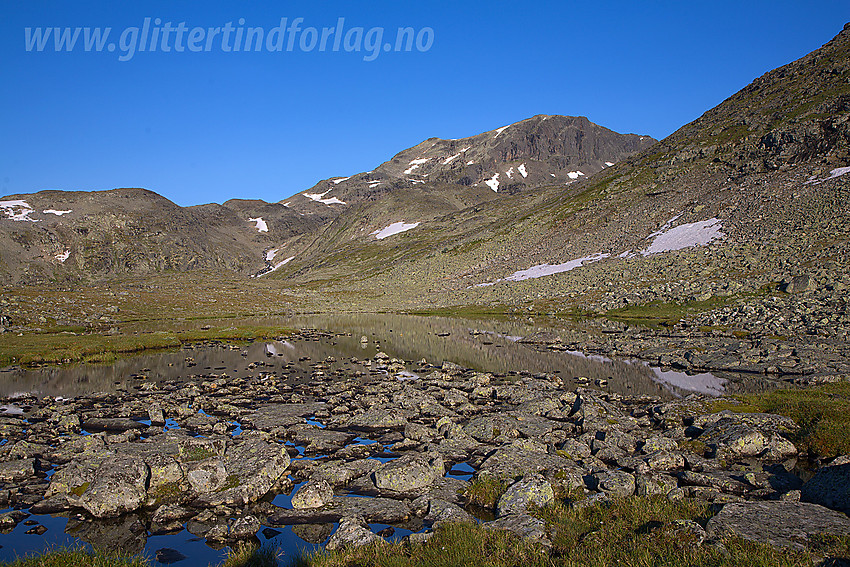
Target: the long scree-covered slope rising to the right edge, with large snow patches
(760, 178)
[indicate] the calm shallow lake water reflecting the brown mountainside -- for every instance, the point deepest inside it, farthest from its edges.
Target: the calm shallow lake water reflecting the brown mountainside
(485, 346)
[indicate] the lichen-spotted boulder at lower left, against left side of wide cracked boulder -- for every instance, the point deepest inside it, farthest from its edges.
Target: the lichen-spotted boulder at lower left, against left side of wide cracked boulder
(119, 486)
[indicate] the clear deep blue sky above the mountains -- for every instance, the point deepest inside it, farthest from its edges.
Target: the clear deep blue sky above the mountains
(204, 126)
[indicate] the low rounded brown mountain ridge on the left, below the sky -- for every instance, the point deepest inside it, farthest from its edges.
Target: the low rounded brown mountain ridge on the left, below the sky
(87, 235)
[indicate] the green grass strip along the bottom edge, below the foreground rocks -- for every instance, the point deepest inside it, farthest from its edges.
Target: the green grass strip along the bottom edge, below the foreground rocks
(636, 531)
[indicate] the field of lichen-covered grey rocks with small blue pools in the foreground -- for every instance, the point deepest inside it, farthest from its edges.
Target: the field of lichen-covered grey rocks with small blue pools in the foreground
(211, 453)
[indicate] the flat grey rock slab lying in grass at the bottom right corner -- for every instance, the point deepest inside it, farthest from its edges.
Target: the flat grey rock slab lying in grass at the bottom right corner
(781, 524)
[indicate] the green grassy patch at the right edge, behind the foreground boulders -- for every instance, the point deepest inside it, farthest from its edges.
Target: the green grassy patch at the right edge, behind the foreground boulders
(822, 412)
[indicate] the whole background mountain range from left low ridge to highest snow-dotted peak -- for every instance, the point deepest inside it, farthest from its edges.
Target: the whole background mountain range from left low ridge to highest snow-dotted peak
(135, 231)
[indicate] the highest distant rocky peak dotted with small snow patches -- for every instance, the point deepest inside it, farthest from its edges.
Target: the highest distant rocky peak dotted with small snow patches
(542, 150)
